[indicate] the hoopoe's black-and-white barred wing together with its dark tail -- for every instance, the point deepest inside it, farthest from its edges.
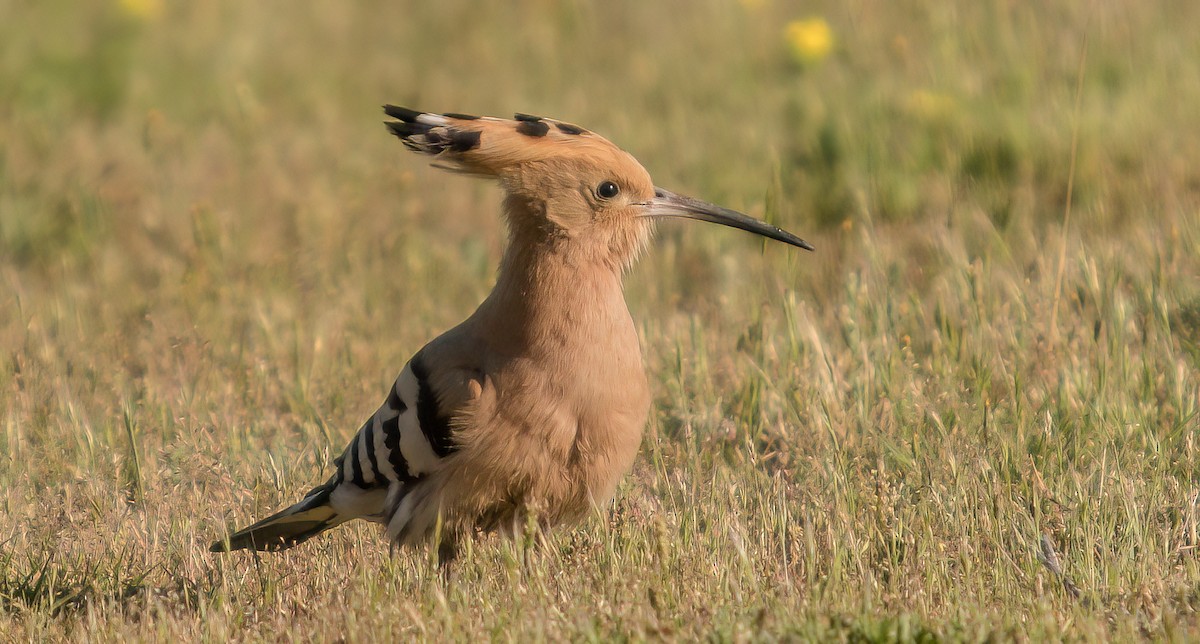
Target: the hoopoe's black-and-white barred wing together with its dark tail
(393, 452)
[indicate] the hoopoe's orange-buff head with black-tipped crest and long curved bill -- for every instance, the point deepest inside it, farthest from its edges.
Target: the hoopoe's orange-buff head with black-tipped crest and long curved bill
(566, 186)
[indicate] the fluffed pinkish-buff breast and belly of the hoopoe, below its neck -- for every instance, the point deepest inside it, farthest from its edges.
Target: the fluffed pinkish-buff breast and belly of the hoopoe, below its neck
(557, 431)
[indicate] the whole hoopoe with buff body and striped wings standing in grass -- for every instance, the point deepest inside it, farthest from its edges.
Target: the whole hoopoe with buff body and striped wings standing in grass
(533, 408)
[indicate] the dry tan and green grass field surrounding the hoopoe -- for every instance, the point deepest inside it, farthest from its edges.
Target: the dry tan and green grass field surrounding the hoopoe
(214, 261)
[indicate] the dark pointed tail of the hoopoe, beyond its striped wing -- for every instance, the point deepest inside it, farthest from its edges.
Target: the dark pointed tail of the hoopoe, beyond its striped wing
(291, 527)
